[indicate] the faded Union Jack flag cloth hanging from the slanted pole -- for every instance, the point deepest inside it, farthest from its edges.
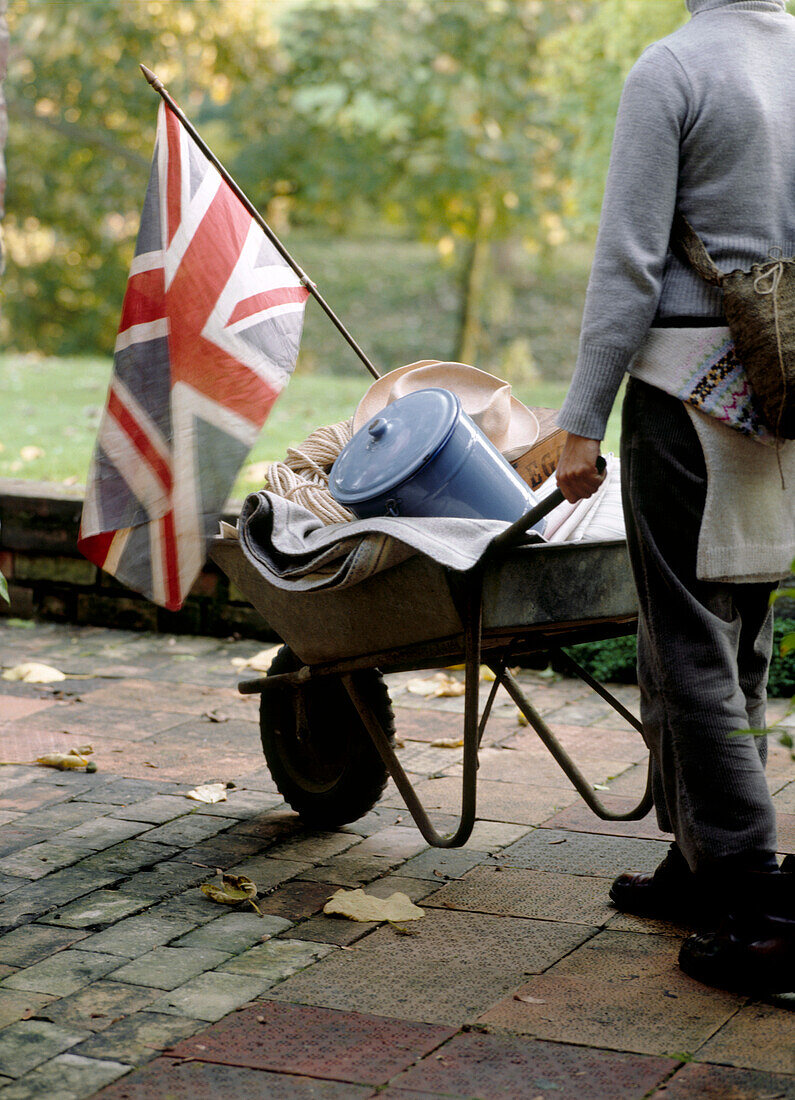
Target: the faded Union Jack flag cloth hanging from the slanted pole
(209, 336)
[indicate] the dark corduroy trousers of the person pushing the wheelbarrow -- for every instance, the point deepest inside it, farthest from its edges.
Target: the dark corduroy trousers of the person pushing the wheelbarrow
(704, 647)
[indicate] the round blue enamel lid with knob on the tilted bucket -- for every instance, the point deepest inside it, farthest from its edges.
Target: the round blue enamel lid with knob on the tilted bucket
(393, 446)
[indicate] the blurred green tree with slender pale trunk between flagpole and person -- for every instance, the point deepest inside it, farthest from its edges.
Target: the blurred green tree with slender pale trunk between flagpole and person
(430, 115)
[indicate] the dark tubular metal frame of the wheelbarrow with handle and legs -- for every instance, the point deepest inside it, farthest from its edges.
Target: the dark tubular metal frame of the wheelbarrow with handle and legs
(495, 650)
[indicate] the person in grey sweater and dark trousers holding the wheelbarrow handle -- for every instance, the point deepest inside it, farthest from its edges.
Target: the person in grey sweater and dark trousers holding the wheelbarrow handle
(705, 129)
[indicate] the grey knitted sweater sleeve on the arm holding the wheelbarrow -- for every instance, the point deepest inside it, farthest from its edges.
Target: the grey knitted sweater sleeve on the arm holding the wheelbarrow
(633, 243)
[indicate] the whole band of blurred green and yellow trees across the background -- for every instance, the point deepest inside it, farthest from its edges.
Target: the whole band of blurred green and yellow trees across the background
(465, 124)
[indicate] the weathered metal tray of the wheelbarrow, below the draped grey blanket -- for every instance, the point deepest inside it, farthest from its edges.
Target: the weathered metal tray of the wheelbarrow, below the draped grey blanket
(529, 588)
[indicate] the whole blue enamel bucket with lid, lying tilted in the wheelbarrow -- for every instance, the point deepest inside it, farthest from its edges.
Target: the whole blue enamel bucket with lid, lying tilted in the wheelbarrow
(423, 456)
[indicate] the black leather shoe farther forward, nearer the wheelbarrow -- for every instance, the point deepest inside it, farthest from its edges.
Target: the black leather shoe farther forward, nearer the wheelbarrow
(671, 893)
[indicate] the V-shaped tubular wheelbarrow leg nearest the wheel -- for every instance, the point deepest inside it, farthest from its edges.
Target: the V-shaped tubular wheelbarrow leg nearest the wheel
(471, 740)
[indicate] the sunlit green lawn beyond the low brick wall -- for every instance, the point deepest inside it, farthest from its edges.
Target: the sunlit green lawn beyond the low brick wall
(52, 409)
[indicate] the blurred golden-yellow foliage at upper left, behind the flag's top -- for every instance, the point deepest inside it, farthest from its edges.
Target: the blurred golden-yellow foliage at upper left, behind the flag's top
(82, 131)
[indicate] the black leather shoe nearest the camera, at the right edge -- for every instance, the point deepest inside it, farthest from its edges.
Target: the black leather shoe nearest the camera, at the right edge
(754, 948)
